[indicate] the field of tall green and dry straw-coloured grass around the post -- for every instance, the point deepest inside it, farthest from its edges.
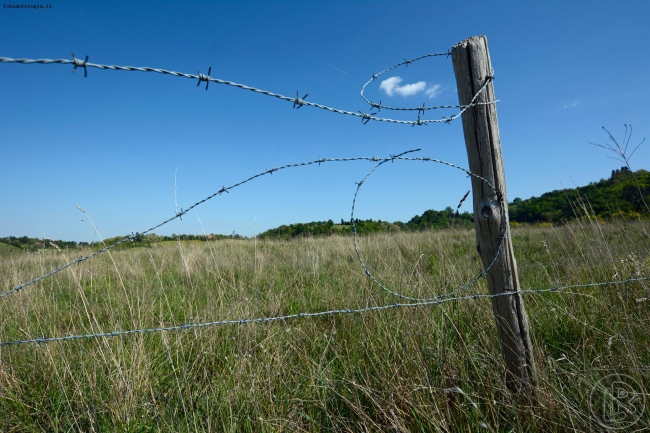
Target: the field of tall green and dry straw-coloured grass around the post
(379, 371)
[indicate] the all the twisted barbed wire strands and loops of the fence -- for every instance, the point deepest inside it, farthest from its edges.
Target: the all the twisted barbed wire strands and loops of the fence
(453, 295)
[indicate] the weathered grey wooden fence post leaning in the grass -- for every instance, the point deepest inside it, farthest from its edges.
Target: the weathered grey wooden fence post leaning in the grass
(473, 68)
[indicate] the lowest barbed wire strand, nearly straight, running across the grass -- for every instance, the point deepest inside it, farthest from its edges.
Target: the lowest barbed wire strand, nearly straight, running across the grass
(475, 296)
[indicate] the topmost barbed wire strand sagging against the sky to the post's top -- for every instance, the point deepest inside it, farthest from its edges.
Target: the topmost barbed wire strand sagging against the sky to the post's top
(297, 101)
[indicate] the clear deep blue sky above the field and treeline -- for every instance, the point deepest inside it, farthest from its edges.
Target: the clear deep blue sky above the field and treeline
(115, 143)
